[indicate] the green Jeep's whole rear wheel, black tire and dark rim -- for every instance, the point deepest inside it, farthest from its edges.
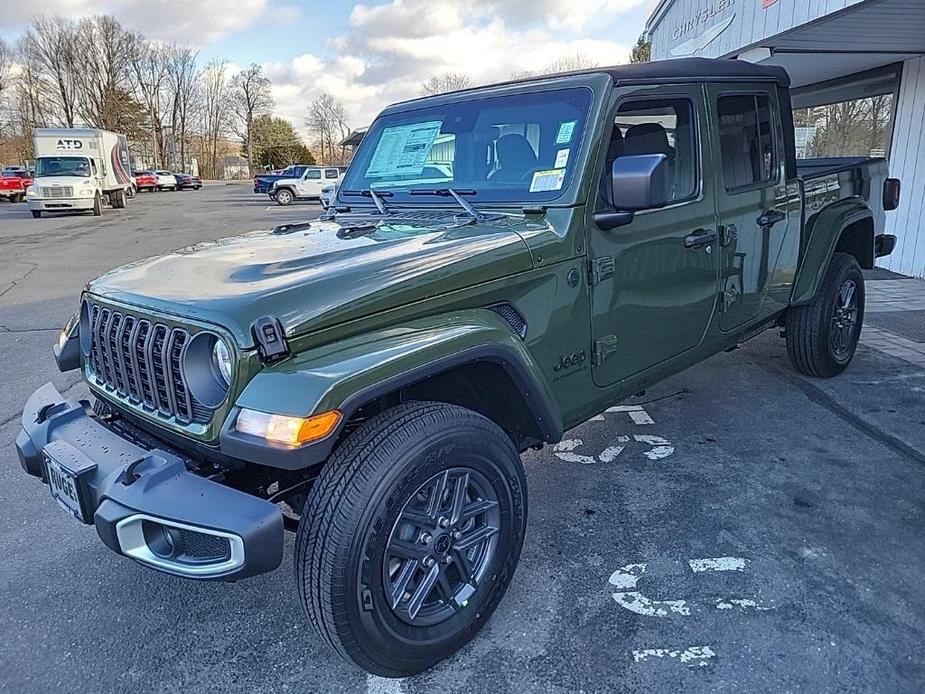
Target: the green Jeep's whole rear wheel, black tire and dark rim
(822, 336)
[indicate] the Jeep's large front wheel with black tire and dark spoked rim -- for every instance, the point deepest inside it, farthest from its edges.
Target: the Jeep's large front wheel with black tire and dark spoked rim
(345, 561)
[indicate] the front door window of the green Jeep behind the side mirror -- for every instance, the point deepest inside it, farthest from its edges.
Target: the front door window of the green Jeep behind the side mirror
(660, 126)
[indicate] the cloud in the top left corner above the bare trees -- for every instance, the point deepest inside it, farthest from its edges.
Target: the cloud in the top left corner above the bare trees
(197, 24)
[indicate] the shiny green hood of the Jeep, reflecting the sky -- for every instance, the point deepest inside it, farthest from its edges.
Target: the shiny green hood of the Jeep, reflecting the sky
(311, 278)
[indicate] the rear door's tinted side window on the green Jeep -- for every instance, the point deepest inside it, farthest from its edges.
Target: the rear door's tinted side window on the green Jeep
(746, 140)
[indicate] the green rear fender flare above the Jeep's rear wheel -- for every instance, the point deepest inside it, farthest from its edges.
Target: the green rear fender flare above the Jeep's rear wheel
(822, 234)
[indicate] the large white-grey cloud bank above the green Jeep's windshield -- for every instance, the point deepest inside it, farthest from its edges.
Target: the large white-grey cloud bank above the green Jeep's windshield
(391, 49)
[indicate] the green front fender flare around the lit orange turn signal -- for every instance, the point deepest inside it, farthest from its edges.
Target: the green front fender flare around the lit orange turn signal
(347, 374)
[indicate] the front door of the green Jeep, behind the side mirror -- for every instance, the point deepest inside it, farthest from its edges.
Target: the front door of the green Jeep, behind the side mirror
(654, 280)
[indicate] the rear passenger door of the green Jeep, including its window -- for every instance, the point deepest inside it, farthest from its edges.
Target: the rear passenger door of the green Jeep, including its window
(753, 205)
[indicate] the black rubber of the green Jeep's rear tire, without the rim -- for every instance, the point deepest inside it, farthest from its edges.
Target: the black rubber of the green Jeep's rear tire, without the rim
(805, 341)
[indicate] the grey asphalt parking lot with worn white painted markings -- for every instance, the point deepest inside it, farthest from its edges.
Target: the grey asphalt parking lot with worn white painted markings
(738, 527)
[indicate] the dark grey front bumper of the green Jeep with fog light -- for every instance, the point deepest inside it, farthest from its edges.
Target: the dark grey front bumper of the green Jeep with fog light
(147, 504)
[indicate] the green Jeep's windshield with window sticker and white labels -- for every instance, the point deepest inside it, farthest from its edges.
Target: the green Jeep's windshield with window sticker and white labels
(514, 148)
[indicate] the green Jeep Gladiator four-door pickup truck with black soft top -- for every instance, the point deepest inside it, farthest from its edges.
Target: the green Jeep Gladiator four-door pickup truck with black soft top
(501, 264)
